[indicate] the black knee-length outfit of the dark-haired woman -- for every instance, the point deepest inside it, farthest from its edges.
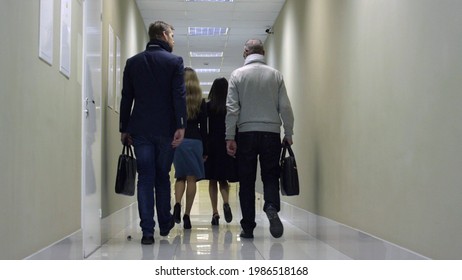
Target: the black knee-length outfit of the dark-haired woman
(219, 165)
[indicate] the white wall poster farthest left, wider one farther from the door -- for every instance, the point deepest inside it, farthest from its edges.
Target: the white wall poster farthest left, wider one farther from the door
(46, 31)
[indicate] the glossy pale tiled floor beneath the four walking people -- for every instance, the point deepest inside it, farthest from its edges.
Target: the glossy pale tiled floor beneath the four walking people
(206, 242)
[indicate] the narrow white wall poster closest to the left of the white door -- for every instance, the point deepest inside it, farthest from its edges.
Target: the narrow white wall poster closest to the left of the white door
(65, 42)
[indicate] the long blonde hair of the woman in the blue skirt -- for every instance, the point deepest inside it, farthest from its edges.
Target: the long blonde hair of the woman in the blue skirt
(193, 93)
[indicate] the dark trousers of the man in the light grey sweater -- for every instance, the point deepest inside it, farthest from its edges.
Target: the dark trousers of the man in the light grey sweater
(251, 147)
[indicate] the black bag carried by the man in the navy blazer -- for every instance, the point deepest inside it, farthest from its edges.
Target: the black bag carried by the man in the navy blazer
(126, 172)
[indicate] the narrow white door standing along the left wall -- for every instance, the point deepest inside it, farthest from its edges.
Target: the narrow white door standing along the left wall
(91, 126)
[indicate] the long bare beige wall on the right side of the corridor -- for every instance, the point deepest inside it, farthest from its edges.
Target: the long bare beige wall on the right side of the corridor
(375, 87)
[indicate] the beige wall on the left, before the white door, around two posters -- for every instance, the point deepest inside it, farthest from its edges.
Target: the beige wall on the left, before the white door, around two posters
(40, 140)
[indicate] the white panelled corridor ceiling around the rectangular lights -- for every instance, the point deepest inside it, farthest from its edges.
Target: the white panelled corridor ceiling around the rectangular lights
(246, 19)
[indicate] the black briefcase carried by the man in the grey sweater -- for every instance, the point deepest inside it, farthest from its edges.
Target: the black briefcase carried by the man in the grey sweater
(289, 173)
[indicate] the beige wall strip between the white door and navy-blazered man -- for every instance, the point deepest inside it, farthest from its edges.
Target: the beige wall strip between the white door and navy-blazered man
(127, 24)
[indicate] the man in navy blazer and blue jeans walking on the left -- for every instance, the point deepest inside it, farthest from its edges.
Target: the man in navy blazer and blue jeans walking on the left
(153, 83)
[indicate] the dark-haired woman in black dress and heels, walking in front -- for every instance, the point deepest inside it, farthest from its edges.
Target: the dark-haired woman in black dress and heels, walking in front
(219, 167)
